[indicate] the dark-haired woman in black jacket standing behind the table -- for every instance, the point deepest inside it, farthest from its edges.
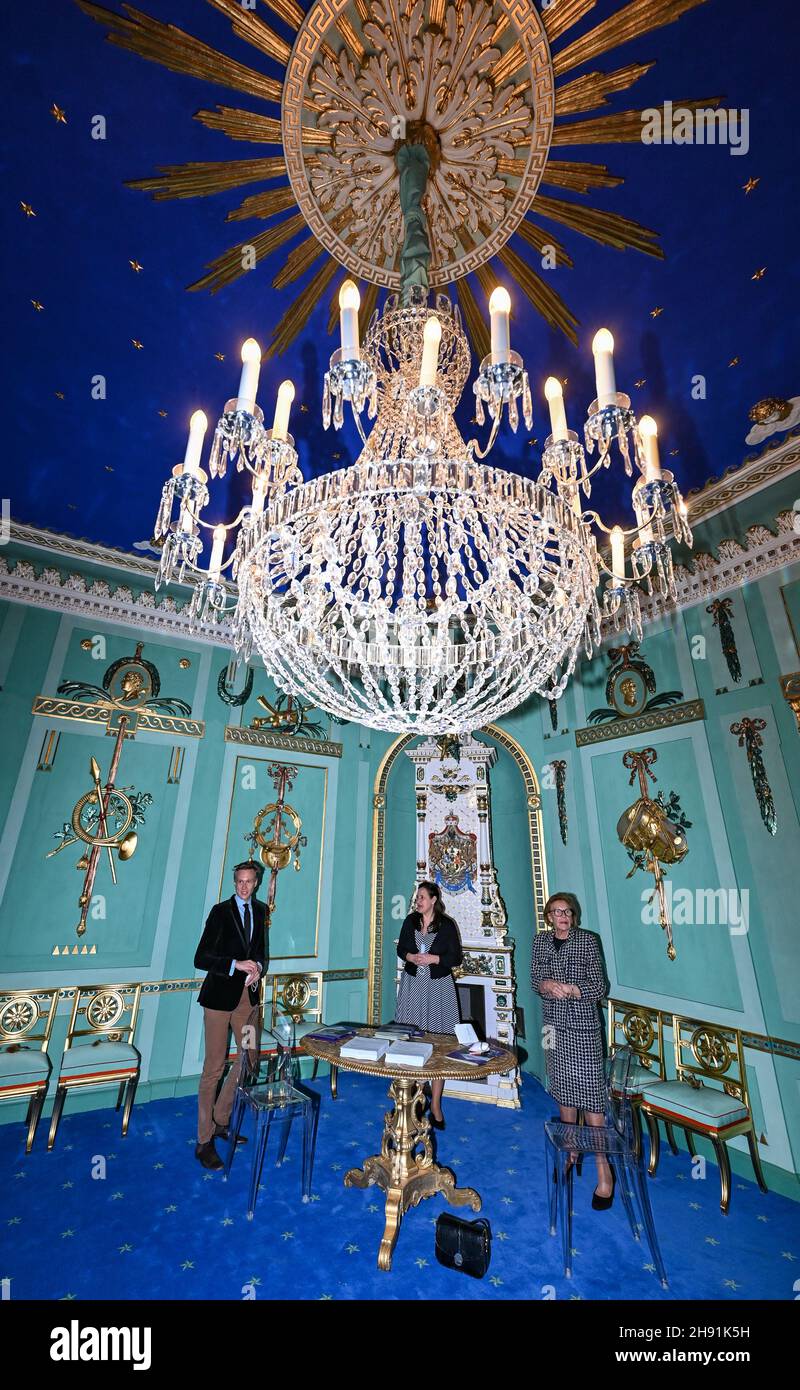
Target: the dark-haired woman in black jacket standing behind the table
(430, 947)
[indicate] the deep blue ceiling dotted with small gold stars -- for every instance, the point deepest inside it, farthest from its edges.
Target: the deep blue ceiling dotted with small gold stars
(94, 468)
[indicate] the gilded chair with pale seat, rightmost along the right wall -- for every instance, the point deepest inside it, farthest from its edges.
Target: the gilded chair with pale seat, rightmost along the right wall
(705, 1053)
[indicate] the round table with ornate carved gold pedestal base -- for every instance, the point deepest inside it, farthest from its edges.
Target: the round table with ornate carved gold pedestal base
(406, 1168)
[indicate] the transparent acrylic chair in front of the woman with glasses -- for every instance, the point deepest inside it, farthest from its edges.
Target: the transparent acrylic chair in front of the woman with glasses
(616, 1139)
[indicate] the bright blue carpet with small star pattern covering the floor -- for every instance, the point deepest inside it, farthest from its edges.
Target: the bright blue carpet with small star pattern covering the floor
(158, 1227)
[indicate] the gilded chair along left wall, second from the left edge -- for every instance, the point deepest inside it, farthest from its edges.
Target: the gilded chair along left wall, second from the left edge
(103, 1053)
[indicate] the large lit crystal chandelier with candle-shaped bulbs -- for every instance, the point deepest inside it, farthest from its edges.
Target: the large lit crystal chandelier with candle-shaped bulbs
(420, 590)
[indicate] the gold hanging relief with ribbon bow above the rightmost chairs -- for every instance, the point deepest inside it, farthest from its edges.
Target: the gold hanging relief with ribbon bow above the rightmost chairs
(649, 835)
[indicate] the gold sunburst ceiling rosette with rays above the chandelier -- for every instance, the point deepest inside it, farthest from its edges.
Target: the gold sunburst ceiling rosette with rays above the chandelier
(488, 88)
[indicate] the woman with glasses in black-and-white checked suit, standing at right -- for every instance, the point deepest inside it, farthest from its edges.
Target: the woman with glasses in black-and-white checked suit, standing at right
(567, 971)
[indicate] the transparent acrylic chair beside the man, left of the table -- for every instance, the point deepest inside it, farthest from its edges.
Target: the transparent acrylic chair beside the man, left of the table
(270, 1088)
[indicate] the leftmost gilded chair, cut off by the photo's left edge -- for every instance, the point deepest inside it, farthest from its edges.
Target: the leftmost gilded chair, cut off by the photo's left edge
(26, 1020)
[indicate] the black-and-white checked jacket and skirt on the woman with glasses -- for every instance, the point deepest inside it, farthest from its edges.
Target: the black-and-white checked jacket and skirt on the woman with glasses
(574, 1036)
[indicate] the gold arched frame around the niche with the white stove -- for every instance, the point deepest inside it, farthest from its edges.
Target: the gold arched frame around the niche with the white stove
(538, 865)
